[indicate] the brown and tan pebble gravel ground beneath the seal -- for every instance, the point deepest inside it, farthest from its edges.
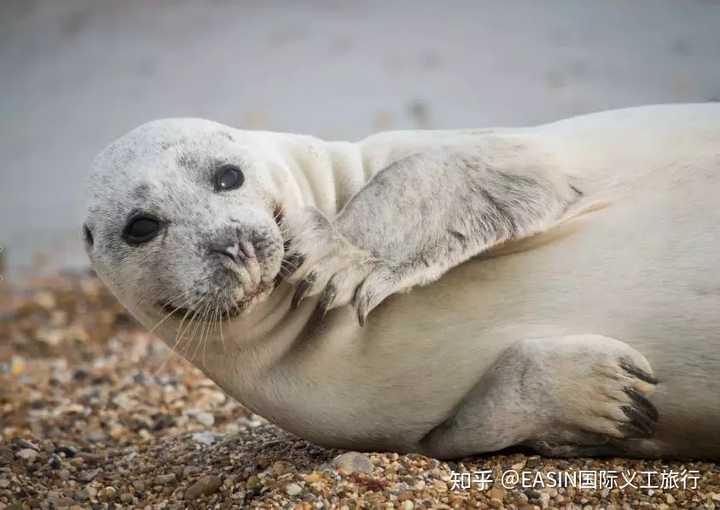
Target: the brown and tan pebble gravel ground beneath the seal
(95, 413)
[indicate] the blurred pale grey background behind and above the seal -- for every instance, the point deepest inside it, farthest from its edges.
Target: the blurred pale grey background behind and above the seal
(75, 74)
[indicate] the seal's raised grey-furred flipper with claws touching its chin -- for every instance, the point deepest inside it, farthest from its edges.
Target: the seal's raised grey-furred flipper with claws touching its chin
(425, 214)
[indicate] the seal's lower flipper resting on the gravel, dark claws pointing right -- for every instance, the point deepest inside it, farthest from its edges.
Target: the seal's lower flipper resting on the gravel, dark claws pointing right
(562, 396)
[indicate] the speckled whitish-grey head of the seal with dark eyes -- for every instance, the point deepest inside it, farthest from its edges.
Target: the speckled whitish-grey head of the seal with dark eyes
(193, 232)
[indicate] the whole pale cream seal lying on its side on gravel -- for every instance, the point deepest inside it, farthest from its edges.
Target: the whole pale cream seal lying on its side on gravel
(574, 303)
